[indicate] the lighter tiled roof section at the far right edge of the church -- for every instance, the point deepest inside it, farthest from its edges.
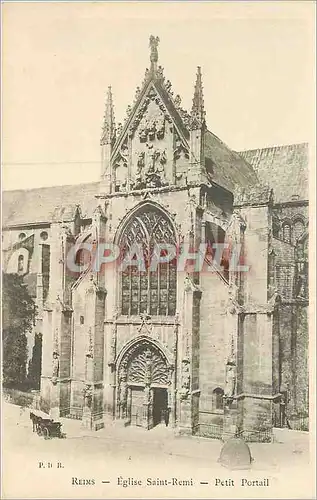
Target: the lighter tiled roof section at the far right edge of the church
(284, 168)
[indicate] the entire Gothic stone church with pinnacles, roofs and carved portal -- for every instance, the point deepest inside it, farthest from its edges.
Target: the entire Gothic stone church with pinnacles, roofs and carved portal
(212, 352)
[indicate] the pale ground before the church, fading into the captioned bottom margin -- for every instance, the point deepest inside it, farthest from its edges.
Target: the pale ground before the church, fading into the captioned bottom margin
(144, 456)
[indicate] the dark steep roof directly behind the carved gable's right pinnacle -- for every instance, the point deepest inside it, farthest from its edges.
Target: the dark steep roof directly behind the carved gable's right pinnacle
(226, 167)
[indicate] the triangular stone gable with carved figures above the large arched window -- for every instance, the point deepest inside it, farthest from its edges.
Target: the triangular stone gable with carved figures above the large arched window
(152, 151)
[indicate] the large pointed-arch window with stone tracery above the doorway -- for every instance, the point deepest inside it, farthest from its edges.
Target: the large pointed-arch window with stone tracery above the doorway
(147, 291)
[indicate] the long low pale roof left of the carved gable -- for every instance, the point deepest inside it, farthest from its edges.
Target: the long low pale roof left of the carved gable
(45, 204)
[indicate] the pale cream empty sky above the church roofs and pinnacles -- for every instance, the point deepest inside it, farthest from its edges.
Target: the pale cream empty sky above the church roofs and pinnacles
(59, 58)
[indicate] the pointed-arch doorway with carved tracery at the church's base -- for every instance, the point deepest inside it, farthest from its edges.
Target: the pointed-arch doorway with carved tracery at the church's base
(144, 385)
